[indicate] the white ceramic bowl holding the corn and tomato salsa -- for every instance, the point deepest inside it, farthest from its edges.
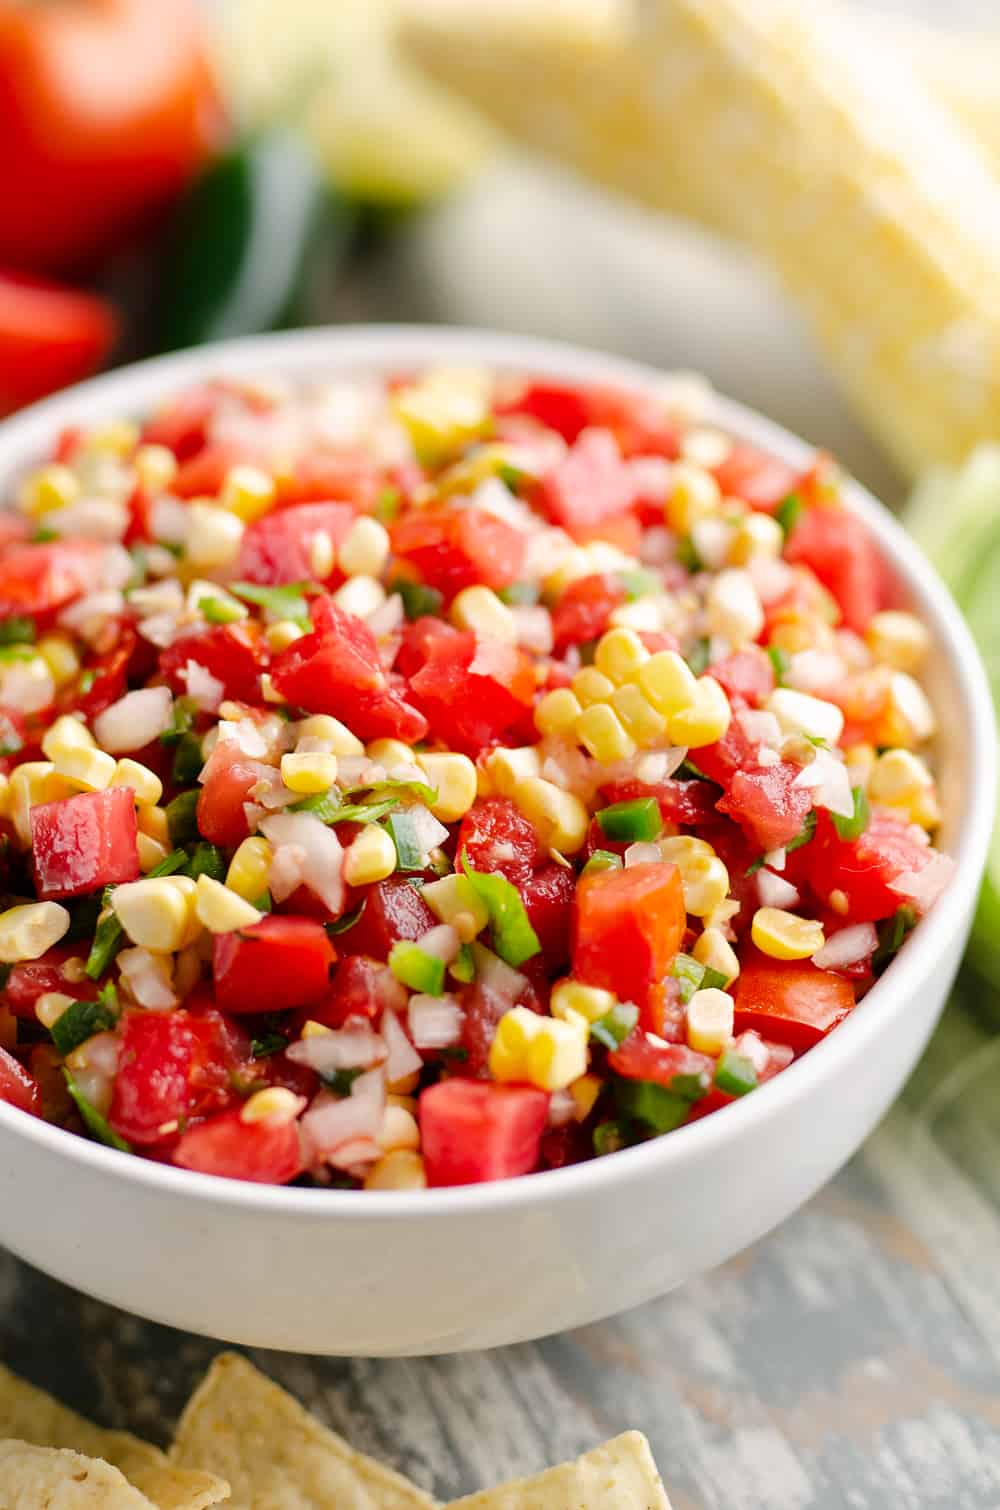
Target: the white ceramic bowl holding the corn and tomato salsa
(445, 1271)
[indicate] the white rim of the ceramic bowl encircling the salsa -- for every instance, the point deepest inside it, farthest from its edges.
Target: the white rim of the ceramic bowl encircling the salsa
(378, 348)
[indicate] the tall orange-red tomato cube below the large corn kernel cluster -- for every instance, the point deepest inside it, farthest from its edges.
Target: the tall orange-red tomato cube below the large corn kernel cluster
(628, 928)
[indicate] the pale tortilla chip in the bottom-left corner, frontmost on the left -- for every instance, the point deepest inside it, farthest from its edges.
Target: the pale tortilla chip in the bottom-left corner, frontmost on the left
(57, 1479)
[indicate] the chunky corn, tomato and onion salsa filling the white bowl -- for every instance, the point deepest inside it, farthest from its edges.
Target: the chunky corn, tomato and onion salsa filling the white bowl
(433, 780)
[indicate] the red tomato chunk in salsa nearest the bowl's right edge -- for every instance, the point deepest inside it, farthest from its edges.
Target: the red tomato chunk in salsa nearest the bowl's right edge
(866, 867)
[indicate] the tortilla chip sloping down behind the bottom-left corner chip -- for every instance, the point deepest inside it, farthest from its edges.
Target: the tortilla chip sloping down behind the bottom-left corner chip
(34, 1417)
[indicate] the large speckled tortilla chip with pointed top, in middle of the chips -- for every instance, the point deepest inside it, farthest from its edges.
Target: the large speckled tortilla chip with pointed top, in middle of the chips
(276, 1455)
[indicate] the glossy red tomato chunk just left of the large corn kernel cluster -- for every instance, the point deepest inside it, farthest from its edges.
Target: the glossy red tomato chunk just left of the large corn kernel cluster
(474, 691)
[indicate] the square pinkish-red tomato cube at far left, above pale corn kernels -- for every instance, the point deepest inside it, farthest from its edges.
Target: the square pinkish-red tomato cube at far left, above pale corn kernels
(84, 843)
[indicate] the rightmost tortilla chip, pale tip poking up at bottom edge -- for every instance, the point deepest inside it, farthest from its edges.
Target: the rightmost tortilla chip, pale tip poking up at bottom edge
(619, 1476)
